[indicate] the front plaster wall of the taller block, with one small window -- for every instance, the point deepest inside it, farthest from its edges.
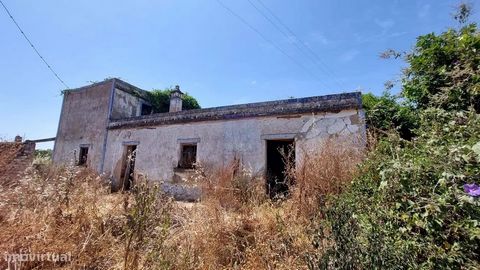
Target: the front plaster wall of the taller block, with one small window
(83, 121)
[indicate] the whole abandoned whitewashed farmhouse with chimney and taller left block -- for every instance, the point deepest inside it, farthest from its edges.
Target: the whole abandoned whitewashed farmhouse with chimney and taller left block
(109, 127)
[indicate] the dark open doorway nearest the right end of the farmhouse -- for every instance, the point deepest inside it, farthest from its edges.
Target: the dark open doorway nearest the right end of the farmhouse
(280, 153)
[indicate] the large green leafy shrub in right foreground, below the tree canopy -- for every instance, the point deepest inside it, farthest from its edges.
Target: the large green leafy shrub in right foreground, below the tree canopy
(407, 208)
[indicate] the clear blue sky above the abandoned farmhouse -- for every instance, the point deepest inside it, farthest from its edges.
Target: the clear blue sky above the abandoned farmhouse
(202, 47)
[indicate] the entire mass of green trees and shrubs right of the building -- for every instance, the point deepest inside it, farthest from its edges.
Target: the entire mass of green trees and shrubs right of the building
(407, 209)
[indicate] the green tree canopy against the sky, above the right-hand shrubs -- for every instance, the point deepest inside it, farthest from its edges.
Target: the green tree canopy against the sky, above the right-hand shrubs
(443, 72)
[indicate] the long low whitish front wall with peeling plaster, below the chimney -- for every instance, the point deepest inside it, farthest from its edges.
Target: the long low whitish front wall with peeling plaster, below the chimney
(158, 147)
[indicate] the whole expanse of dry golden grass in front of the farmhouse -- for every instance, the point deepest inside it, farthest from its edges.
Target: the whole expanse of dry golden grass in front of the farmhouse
(235, 226)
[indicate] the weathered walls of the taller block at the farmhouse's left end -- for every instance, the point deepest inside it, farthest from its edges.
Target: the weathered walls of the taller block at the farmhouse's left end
(86, 112)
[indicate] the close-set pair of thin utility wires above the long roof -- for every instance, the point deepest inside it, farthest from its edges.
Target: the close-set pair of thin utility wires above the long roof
(312, 53)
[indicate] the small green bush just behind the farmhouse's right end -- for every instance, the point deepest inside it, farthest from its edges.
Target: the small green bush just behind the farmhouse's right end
(386, 112)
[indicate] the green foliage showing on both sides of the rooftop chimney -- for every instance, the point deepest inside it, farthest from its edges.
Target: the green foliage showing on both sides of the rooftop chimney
(160, 100)
